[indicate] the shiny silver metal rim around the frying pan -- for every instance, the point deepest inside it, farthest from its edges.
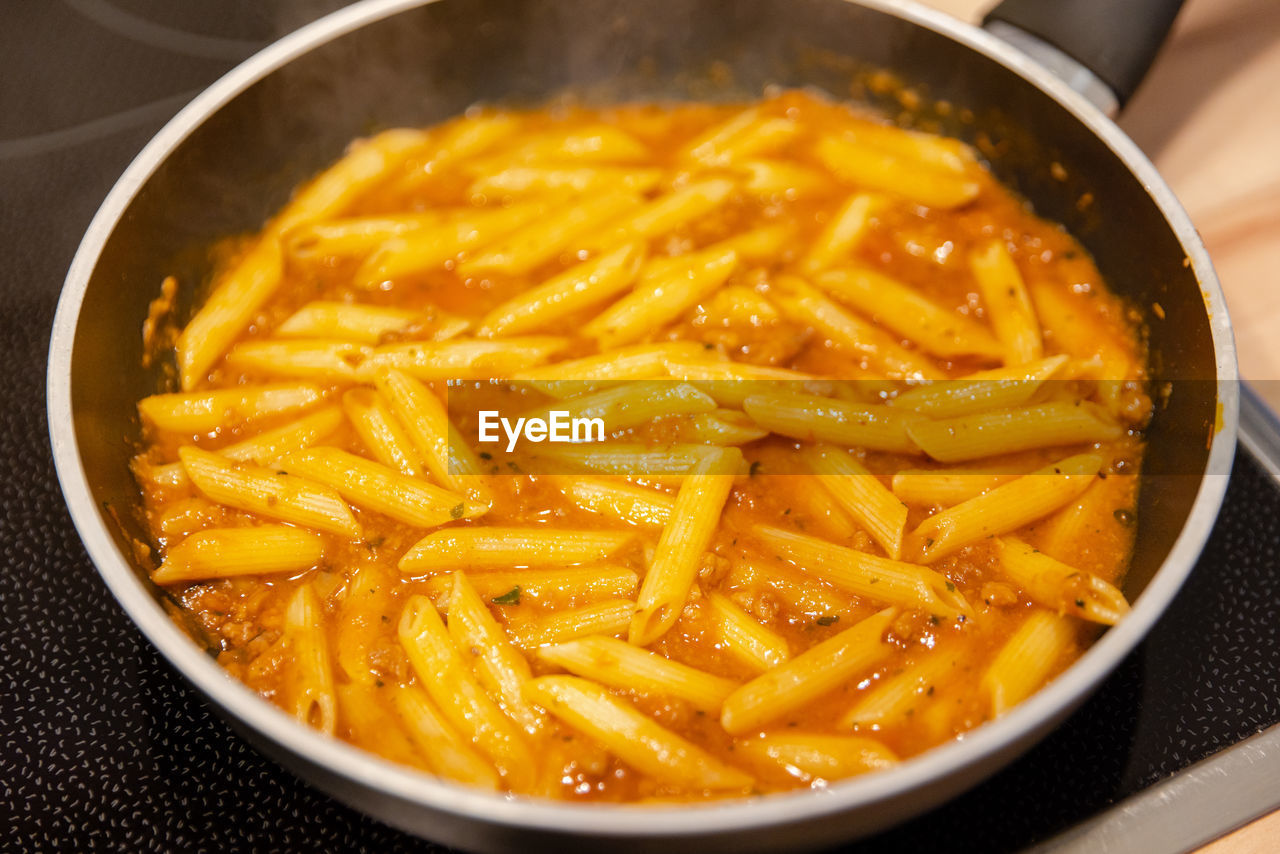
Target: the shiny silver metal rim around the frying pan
(988, 743)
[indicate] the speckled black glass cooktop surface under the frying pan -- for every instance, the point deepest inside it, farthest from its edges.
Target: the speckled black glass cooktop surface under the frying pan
(104, 747)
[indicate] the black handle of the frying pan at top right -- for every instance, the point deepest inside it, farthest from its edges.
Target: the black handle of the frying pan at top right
(1117, 40)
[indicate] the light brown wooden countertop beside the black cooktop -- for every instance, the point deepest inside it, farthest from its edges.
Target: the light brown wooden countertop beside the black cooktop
(1209, 116)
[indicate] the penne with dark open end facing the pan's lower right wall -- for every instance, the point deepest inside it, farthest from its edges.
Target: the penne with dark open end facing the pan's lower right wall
(1059, 587)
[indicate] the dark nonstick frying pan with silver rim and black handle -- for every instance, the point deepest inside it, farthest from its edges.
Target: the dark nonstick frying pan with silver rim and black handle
(232, 157)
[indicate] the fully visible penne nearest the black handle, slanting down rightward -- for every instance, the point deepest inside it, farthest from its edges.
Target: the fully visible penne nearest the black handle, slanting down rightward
(874, 168)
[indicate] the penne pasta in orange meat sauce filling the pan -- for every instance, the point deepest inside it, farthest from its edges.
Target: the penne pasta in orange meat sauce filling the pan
(870, 476)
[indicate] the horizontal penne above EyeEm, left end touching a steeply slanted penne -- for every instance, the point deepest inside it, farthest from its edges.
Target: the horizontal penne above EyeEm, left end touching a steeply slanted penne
(461, 358)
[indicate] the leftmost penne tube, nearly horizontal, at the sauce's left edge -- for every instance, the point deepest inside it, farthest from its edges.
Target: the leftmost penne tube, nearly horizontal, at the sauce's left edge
(205, 412)
